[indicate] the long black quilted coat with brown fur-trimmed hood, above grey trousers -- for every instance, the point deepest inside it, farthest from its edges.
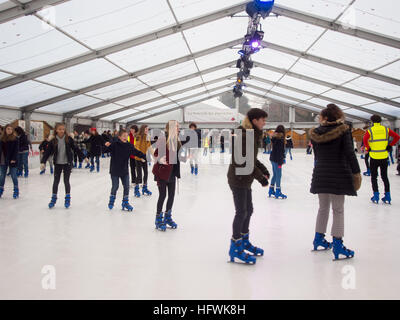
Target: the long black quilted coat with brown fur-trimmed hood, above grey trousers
(336, 161)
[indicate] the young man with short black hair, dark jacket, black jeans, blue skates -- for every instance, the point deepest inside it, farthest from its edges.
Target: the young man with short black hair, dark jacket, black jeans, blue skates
(244, 168)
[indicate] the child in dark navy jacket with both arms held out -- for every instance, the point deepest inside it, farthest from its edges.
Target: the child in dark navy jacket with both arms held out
(121, 151)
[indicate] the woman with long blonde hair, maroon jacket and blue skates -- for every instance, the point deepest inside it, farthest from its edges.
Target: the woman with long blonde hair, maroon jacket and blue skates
(167, 172)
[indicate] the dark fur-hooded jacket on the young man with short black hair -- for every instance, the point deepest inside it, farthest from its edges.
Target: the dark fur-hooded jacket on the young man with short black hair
(259, 170)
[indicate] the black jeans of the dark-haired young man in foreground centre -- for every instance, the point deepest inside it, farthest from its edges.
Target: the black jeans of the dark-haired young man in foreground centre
(243, 201)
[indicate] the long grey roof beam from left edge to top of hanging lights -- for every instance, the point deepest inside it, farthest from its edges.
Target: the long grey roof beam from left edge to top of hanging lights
(101, 53)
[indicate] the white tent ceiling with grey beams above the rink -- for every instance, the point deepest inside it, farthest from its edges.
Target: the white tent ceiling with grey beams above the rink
(128, 60)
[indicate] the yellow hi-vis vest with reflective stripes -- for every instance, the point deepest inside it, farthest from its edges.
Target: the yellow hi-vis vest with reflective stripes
(378, 142)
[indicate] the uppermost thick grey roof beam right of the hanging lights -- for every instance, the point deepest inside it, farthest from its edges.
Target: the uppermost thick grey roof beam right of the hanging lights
(335, 26)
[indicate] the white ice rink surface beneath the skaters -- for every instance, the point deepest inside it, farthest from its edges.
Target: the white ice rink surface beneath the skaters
(103, 254)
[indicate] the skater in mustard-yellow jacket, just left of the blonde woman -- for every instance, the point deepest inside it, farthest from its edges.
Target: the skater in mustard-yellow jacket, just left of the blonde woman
(143, 144)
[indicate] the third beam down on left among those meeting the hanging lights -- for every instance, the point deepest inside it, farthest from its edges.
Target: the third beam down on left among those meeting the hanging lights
(152, 88)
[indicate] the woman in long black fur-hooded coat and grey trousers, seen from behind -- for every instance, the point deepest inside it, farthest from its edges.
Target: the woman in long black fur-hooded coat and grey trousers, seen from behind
(336, 174)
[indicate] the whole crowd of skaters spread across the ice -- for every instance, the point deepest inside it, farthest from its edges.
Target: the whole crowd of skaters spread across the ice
(336, 171)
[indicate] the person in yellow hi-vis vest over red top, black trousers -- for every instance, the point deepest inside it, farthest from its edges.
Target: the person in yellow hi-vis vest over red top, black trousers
(376, 141)
